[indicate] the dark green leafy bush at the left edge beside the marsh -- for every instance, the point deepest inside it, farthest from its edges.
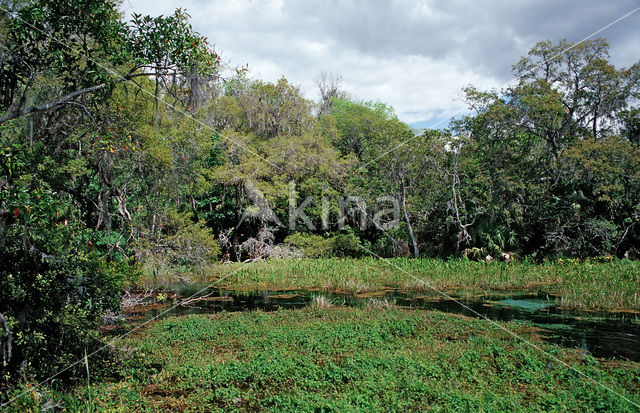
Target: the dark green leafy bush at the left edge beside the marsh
(55, 283)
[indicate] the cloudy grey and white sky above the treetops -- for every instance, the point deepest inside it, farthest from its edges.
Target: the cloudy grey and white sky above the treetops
(415, 55)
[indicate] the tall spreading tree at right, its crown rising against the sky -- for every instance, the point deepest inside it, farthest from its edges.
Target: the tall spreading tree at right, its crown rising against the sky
(568, 99)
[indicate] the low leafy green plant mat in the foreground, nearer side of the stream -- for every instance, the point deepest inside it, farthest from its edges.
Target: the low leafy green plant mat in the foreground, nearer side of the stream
(340, 359)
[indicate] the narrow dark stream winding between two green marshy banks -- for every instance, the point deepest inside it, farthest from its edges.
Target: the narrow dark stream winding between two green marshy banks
(607, 335)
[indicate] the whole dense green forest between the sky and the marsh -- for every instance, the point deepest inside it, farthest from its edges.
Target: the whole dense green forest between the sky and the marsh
(130, 146)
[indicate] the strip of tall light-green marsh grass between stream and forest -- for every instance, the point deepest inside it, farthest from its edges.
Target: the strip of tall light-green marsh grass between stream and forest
(581, 285)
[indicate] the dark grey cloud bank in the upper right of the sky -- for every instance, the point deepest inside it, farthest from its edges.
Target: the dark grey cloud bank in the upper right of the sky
(489, 35)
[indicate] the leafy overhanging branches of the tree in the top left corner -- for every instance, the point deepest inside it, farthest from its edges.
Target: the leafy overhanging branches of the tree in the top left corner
(86, 46)
